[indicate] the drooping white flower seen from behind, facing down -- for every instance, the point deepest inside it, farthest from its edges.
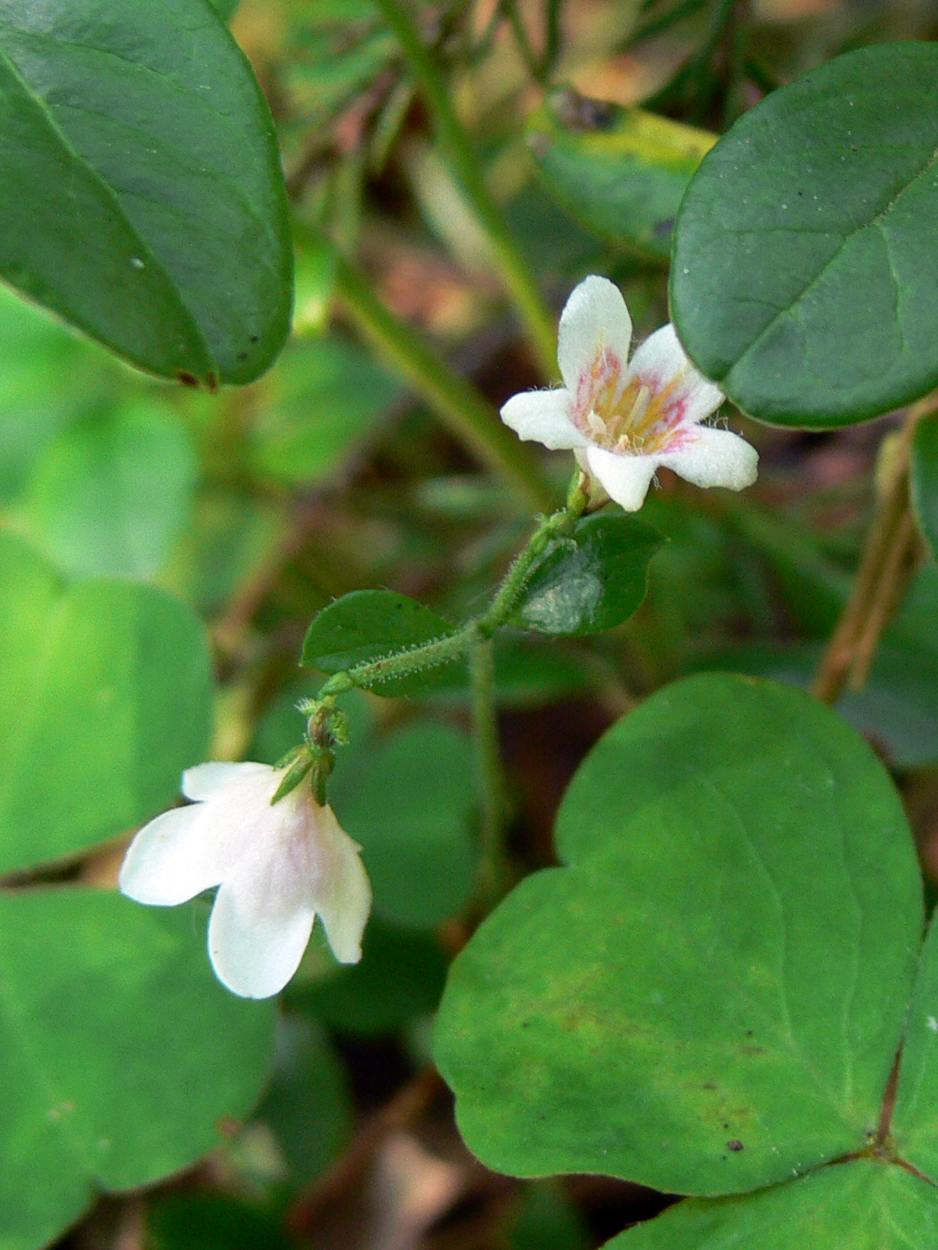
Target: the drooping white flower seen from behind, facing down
(277, 866)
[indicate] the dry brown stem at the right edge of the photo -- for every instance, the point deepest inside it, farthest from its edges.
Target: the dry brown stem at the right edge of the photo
(886, 566)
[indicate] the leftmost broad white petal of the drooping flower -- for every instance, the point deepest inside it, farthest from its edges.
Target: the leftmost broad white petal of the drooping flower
(176, 857)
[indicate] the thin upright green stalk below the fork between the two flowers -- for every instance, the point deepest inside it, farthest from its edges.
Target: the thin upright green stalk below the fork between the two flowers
(493, 874)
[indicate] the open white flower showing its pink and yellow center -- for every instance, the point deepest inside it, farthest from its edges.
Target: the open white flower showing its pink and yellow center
(622, 418)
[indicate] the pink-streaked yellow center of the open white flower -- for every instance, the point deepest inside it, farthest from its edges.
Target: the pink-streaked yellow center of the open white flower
(630, 414)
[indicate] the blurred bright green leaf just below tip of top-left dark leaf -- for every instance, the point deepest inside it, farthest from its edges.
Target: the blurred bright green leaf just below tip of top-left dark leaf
(323, 401)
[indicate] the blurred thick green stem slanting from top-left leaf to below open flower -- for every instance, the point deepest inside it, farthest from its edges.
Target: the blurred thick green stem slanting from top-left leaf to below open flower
(472, 419)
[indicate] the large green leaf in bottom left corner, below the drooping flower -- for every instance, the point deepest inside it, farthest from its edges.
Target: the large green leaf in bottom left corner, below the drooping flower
(122, 1059)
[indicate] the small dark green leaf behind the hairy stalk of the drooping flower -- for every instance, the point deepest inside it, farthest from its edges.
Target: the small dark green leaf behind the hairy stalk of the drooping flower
(370, 626)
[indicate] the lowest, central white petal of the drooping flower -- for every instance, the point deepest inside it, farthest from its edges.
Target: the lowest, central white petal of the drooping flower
(261, 926)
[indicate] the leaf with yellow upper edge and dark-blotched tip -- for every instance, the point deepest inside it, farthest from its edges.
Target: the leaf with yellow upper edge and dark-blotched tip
(622, 173)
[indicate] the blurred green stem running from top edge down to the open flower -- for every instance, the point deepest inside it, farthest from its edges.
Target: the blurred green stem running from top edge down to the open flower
(463, 161)
